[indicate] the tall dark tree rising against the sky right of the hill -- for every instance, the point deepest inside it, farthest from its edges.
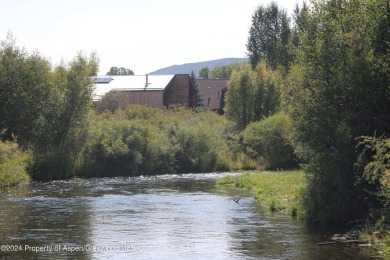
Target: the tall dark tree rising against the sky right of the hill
(269, 37)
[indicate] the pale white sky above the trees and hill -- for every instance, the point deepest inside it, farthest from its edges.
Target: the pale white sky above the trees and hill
(142, 35)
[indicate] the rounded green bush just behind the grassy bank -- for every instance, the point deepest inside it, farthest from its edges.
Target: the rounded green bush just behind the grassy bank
(268, 142)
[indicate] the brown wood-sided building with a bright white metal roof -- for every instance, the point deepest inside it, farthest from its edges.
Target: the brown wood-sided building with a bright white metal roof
(156, 91)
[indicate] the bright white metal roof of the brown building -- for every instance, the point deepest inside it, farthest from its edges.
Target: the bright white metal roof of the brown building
(104, 84)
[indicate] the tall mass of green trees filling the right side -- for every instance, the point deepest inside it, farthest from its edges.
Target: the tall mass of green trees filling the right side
(327, 69)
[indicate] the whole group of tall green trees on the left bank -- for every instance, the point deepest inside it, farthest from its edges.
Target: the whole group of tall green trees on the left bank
(45, 108)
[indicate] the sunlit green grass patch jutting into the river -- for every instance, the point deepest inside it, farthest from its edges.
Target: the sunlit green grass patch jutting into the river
(279, 191)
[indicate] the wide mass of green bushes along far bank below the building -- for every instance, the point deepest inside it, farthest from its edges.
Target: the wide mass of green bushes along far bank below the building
(140, 140)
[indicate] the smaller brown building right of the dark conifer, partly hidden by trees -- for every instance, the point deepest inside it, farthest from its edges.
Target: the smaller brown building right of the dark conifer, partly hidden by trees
(213, 92)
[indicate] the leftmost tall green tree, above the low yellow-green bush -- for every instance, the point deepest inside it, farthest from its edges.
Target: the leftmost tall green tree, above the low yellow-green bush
(24, 91)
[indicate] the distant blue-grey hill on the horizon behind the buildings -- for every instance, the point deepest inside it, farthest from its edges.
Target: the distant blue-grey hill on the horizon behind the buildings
(196, 66)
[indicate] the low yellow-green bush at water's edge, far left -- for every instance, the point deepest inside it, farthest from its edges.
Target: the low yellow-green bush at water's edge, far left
(12, 165)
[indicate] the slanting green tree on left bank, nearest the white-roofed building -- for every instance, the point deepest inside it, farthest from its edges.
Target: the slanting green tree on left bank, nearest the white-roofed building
(63, 124)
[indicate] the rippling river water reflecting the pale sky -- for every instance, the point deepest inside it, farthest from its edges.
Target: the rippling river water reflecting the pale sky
(160, 217)
